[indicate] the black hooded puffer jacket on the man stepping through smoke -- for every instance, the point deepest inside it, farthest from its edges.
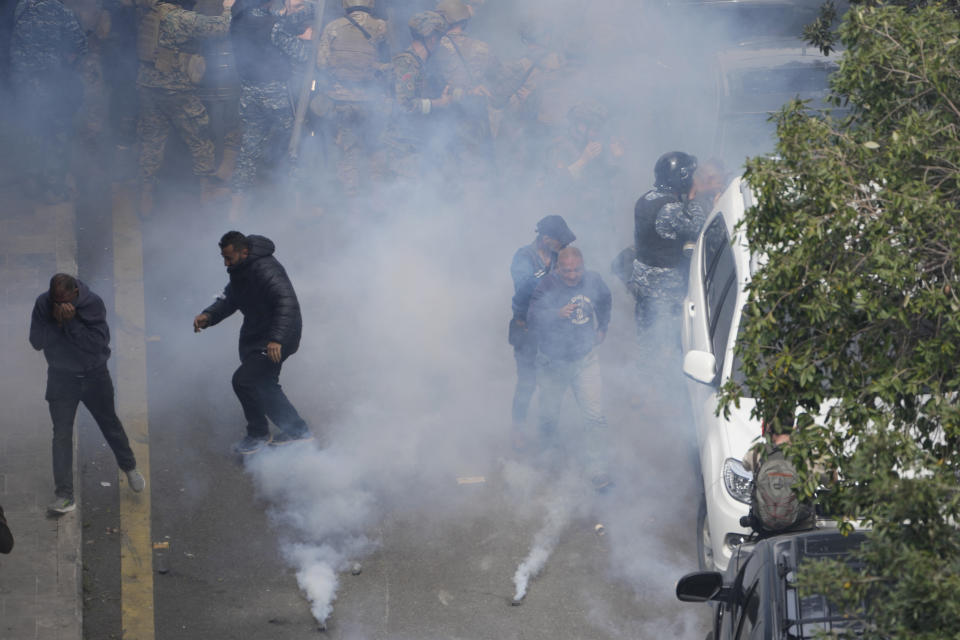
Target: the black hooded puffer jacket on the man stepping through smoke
(260, 289)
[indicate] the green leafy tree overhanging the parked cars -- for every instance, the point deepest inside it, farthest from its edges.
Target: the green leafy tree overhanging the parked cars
(854, 316)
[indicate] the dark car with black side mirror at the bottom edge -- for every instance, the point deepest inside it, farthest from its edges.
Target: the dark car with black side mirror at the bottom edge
(757, 598)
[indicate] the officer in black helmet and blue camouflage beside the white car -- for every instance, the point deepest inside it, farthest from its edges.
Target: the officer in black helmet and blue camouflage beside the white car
(667, 220)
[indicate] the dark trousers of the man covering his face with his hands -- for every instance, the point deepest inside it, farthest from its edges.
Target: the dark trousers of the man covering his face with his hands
(65, 391)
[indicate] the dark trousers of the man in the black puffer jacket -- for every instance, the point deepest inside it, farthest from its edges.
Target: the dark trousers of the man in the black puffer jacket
(257, 384)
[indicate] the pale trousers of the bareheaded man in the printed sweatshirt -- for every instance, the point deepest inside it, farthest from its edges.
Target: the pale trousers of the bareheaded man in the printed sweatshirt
(583, 378)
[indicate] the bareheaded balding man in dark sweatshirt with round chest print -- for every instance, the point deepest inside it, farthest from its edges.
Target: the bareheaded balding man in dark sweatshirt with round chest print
(569, 313)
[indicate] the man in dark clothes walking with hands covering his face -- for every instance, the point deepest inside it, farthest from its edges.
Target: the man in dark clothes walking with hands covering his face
(69, 325)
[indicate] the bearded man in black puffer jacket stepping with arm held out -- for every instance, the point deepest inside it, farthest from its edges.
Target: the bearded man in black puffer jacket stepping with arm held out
(260, 289)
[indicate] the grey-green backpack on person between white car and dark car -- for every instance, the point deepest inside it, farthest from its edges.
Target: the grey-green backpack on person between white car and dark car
(774, 504)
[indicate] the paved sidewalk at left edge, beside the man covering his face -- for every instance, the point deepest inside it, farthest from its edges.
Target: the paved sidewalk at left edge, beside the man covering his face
(41, 580)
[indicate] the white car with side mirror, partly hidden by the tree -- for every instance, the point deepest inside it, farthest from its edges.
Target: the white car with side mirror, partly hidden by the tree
(720, 269)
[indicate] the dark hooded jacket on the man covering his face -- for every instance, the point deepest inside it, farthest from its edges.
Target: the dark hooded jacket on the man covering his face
(82, 344)
